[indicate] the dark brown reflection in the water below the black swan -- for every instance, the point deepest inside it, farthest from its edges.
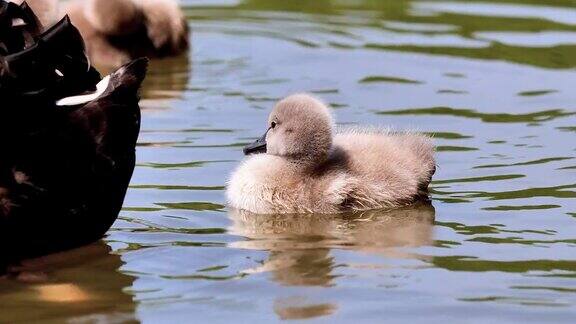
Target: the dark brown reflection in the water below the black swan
(82, 285)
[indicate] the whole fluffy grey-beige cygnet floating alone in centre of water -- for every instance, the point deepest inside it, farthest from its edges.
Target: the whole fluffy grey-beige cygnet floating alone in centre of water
(304, 166)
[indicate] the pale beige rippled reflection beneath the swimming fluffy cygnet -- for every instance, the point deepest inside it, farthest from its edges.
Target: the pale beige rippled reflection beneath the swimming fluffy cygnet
(299, 246)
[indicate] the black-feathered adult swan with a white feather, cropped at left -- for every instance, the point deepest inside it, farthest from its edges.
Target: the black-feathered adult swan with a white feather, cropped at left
(68, 137)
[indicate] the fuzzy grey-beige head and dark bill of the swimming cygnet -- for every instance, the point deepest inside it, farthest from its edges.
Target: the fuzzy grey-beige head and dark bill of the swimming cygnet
(299, 129)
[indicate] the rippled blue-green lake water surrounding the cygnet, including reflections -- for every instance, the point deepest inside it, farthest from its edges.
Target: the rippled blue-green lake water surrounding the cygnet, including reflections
(494, 81)
